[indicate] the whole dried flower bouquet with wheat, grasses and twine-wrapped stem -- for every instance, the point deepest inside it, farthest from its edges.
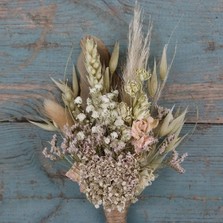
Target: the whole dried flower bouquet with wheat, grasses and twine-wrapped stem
(115, 135)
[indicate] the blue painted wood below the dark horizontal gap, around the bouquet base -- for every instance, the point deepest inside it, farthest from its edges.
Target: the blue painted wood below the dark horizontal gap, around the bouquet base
(33, 189)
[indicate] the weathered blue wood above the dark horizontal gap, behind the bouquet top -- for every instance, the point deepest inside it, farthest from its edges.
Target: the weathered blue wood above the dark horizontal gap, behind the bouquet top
(36, 38)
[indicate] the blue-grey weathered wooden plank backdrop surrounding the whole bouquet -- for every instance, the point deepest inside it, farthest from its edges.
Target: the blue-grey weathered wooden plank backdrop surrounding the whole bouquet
(35, 40)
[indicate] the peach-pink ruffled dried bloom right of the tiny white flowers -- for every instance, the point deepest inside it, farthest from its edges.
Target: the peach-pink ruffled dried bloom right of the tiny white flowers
(140, 132)
